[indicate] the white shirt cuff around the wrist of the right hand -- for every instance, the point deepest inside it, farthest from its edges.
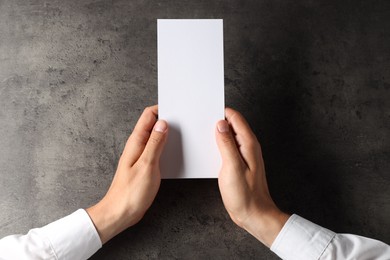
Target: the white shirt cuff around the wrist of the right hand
(301, 239)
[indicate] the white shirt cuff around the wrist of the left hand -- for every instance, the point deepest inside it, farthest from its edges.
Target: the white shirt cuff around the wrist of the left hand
(73, 237)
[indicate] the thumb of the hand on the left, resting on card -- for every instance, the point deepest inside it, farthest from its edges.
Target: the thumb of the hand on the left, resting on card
(154, 146)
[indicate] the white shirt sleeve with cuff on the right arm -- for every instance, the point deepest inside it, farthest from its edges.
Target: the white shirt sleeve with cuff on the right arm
(304, 240)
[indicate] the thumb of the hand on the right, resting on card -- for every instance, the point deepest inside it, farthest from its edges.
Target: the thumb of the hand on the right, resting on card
(227, 144)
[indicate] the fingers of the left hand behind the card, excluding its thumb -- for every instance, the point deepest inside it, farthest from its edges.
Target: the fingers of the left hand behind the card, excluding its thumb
(138, 139)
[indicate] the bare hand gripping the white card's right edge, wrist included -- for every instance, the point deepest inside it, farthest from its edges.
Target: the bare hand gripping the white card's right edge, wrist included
(242, 180)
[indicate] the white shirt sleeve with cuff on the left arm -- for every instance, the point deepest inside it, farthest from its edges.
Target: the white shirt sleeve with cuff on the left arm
(72, 237)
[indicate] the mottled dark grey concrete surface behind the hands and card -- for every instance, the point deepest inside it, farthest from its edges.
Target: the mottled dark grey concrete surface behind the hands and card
(312, 77)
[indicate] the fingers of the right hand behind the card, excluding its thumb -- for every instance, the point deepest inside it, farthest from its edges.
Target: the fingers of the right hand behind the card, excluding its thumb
(248, 145)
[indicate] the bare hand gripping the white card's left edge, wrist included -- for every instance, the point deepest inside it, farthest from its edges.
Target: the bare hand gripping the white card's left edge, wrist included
(136, 180)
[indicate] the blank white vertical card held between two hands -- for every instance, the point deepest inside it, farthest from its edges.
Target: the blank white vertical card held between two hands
(190, 95)
